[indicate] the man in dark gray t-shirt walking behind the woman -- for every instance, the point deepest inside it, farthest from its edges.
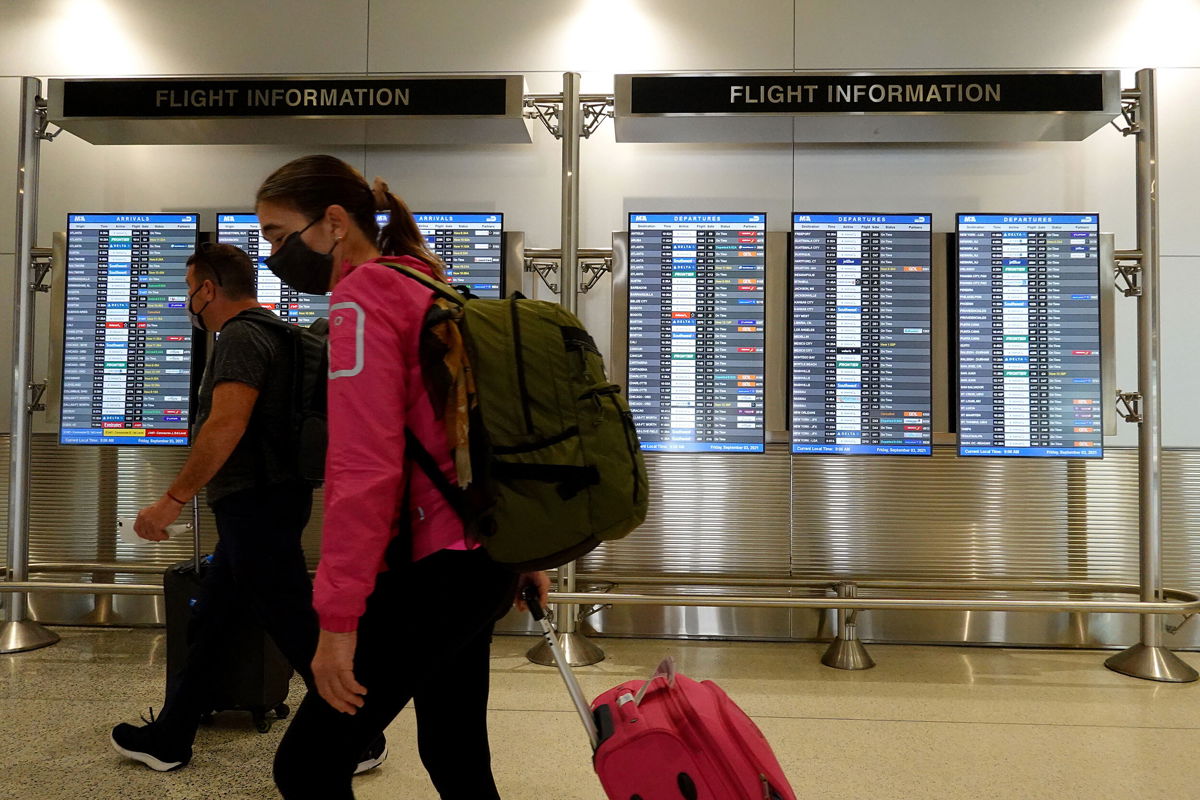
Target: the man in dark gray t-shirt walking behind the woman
(244, 453)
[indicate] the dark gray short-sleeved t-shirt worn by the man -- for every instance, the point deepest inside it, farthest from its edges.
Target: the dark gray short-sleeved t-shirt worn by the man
(261, 357)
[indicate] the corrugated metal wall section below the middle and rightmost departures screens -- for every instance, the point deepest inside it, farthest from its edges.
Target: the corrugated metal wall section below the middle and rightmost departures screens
(952, 519)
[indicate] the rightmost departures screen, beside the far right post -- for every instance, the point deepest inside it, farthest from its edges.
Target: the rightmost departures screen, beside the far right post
(1029, 317)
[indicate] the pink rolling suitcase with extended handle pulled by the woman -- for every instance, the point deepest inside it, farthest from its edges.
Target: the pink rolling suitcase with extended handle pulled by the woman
(671, 738)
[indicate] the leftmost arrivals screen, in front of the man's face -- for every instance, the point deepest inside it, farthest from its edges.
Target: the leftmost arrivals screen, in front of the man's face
(128, 341)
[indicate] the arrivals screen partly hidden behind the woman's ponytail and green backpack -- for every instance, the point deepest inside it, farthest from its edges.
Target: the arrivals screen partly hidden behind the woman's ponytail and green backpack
(469, 244)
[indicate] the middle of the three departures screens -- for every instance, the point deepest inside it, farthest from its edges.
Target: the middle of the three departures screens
(862, 374)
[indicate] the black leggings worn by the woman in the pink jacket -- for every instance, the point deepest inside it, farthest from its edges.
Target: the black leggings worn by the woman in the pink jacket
(425, 637)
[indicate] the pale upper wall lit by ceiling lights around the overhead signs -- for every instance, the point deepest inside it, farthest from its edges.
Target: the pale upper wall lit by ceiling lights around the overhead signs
(601, 38)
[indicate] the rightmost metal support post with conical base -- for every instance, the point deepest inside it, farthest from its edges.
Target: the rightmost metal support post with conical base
(1150, 659)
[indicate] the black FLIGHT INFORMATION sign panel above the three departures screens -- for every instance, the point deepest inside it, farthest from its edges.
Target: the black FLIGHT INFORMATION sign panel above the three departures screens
(800, 94)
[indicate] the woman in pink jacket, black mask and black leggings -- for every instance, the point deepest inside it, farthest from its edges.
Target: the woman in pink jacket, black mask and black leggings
(406, 600)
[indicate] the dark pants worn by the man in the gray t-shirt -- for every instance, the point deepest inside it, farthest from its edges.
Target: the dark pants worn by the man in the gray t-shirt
(259, 569)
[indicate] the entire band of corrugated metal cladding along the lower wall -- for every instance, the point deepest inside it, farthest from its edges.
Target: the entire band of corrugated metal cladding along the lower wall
(771, 516)
